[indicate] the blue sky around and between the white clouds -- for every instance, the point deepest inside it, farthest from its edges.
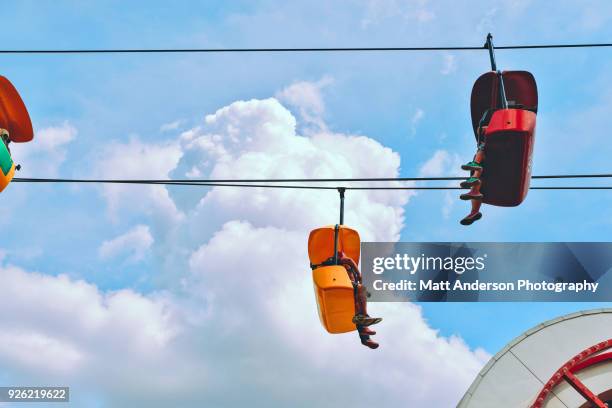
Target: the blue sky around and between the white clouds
(414, 103)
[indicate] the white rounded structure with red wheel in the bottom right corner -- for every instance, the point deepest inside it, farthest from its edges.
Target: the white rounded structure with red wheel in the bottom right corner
(562, 363)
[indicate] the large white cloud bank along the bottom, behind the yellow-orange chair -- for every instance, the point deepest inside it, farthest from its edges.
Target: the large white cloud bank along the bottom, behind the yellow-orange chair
(259, 324)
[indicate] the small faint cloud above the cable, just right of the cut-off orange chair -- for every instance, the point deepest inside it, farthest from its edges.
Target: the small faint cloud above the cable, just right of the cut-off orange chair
(43, 156)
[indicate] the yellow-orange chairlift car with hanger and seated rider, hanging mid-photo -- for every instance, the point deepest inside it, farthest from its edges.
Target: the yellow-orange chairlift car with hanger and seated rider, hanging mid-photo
(334, 252)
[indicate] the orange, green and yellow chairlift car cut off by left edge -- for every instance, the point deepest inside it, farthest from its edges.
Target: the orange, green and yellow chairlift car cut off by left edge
(15, 126)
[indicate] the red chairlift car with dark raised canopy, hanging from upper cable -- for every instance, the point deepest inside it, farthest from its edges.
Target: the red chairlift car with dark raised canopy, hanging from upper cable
(503, 109)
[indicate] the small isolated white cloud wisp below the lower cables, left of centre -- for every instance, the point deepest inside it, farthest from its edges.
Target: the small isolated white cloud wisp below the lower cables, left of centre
(135, 243)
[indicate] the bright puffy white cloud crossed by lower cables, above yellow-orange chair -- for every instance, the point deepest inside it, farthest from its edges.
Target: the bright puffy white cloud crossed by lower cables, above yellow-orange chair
(258, 139)
